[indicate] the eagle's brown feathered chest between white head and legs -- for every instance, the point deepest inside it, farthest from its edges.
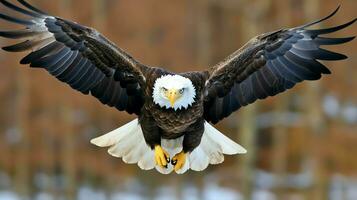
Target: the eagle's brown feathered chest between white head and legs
(175, 123)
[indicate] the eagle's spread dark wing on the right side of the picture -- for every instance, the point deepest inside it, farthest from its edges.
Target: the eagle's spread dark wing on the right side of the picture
(267, 65)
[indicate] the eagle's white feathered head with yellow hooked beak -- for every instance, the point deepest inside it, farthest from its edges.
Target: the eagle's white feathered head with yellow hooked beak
(174, 91)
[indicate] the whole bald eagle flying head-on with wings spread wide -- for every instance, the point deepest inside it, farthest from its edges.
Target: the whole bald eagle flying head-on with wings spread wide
(172, 131)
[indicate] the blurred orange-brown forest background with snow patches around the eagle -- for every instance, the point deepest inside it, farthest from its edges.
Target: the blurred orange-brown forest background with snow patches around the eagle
(301, 144)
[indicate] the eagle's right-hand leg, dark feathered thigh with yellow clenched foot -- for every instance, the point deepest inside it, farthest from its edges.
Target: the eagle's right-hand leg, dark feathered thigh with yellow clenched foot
(191, 140)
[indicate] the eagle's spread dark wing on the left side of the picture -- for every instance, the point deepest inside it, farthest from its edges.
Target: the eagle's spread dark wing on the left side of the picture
(77, 55)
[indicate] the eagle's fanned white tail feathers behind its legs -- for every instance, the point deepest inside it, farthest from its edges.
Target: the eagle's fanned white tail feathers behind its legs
(128, 142)
